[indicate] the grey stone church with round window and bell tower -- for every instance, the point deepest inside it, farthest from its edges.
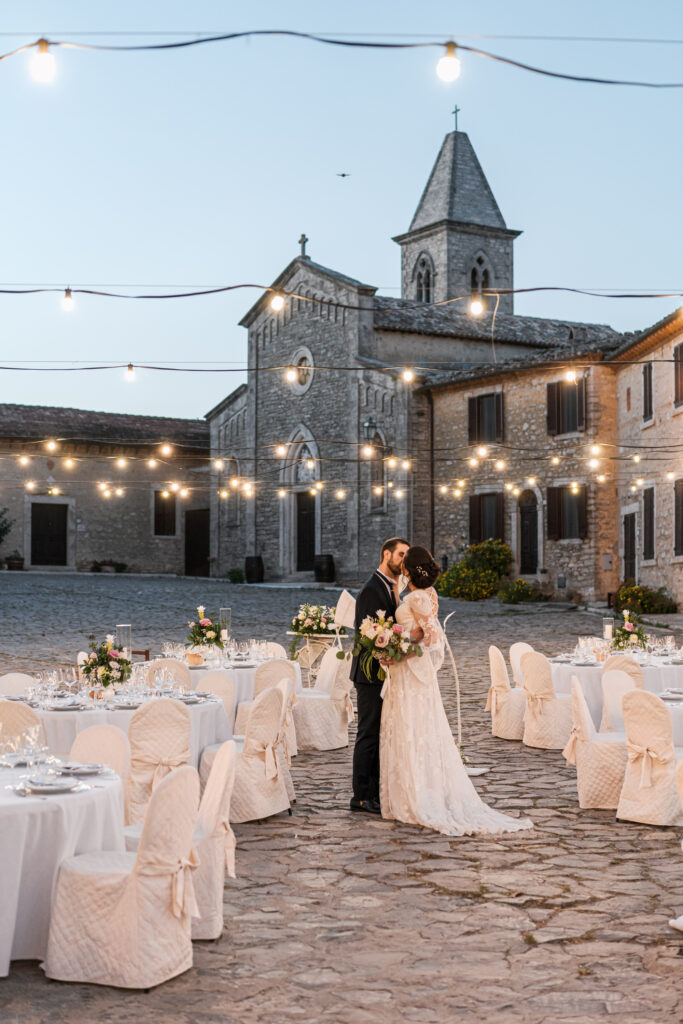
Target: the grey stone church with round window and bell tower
(316, 460)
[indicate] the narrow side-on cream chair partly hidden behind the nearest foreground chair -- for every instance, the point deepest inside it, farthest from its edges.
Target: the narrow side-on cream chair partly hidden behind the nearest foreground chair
(215, 844)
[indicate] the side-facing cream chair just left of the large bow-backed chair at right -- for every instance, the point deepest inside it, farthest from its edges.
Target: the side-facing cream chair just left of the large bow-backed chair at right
(601, 757)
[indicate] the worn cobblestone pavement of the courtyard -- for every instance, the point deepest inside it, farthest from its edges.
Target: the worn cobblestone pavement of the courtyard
(346, 919)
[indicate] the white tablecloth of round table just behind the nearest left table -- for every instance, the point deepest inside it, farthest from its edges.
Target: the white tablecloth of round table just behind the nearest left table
(209, 724)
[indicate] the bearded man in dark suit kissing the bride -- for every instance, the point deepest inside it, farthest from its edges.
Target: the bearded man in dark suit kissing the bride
(379, 593)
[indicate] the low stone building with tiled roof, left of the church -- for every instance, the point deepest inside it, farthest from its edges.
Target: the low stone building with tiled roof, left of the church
(84, 488)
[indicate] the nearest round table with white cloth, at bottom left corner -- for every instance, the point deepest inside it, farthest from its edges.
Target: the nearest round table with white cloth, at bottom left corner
(36, 835)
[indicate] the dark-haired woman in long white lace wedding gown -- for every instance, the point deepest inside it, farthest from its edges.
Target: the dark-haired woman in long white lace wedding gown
(422, 778)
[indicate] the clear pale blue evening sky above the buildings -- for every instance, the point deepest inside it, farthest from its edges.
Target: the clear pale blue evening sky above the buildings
(204, 166)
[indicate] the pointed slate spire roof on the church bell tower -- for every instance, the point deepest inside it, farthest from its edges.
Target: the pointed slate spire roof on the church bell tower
(457, 189)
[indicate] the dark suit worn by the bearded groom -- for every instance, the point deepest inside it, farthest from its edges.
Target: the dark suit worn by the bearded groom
(375, 596)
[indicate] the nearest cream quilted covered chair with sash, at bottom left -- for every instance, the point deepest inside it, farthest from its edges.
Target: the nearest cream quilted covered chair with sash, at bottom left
(124, 919)
